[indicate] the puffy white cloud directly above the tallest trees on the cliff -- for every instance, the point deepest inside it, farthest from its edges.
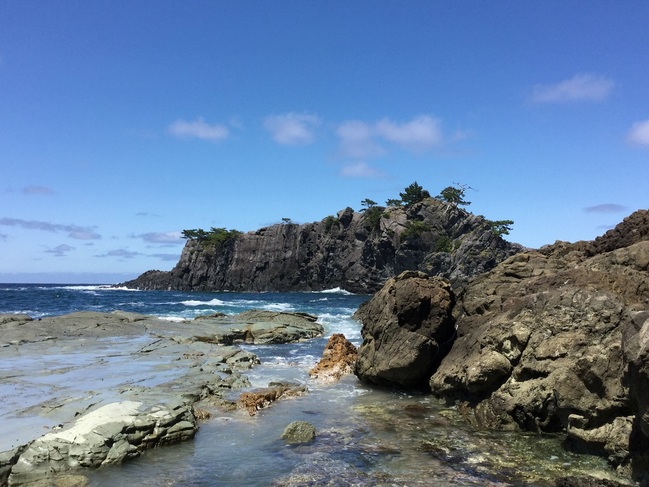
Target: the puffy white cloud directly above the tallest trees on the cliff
(419, 134)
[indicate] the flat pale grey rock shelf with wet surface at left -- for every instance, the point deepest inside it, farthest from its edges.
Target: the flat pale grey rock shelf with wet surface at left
(91, 389)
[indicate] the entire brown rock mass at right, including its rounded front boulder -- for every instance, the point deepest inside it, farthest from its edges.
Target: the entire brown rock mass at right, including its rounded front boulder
(550, 340)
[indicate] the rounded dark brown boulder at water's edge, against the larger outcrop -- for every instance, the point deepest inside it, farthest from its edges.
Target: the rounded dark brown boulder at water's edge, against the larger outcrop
(407, 327)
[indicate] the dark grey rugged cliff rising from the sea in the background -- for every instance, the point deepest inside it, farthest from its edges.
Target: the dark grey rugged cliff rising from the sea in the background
(354, 251)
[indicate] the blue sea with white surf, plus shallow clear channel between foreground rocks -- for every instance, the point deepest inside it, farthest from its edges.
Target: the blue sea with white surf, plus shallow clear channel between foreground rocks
(365, 436)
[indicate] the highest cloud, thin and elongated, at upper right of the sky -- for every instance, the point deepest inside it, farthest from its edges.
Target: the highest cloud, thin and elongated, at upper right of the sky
(581, 87)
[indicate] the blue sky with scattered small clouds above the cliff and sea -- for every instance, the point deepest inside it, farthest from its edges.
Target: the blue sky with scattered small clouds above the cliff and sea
(124, 122)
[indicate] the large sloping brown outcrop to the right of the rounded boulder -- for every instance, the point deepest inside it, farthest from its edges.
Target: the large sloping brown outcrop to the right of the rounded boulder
(555, 340)
